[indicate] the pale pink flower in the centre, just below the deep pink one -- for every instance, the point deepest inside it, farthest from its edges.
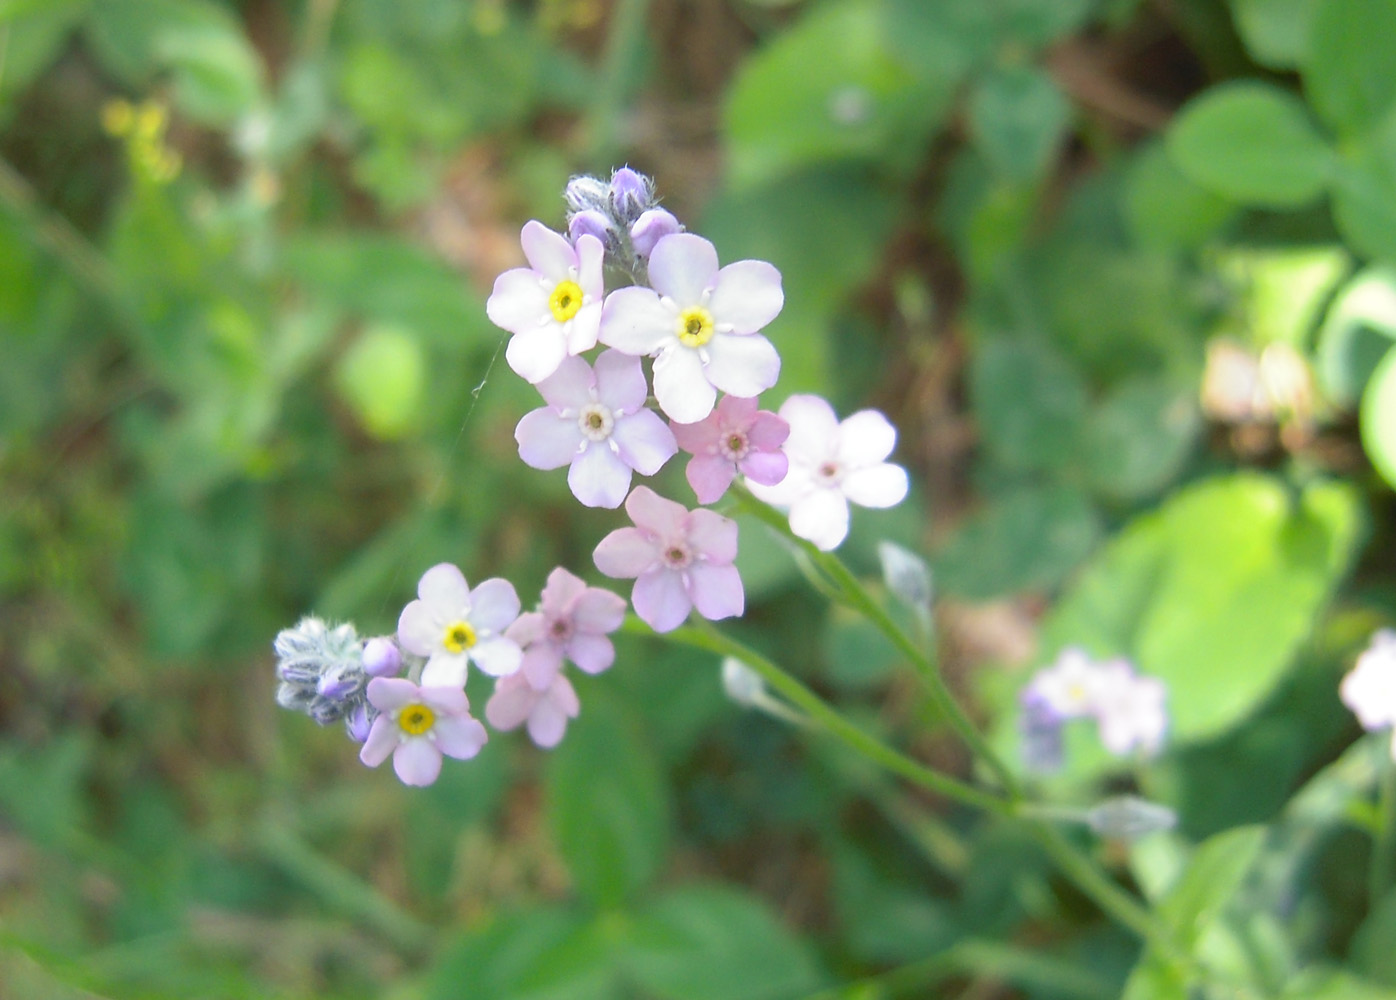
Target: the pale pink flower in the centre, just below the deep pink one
(681, 561)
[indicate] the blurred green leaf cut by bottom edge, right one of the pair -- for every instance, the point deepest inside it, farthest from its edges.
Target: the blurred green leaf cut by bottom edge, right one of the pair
(718, 943)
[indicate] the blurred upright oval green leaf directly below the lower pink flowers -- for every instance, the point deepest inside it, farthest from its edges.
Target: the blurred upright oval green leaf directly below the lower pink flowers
(608, 807)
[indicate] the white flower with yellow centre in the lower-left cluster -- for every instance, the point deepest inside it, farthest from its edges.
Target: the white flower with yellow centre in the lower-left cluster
(452, 625)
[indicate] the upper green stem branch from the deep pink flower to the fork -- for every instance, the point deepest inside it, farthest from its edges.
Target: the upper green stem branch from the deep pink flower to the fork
(861, 600)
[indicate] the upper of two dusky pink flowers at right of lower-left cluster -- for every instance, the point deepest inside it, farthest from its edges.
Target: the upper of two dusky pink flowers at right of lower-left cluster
(573, 621)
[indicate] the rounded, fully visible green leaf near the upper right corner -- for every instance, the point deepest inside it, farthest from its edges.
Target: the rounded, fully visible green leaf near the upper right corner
(1252, 143)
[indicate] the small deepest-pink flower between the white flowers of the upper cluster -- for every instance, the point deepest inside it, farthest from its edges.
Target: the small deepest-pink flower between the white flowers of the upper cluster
(736, 436)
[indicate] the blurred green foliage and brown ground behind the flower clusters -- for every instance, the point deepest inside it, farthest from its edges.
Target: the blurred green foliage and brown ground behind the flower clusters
(246, 375)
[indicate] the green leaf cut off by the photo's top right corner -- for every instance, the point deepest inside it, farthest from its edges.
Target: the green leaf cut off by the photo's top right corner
(1349, 76)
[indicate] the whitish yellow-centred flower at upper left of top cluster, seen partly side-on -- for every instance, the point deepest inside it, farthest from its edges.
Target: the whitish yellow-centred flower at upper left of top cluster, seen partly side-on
(554, 307)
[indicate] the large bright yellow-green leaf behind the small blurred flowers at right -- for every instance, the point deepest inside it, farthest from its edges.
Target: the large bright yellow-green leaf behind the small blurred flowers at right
(1214, 593)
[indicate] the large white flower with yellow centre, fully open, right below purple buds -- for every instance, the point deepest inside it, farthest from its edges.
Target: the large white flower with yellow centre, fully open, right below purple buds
(700, 323)
